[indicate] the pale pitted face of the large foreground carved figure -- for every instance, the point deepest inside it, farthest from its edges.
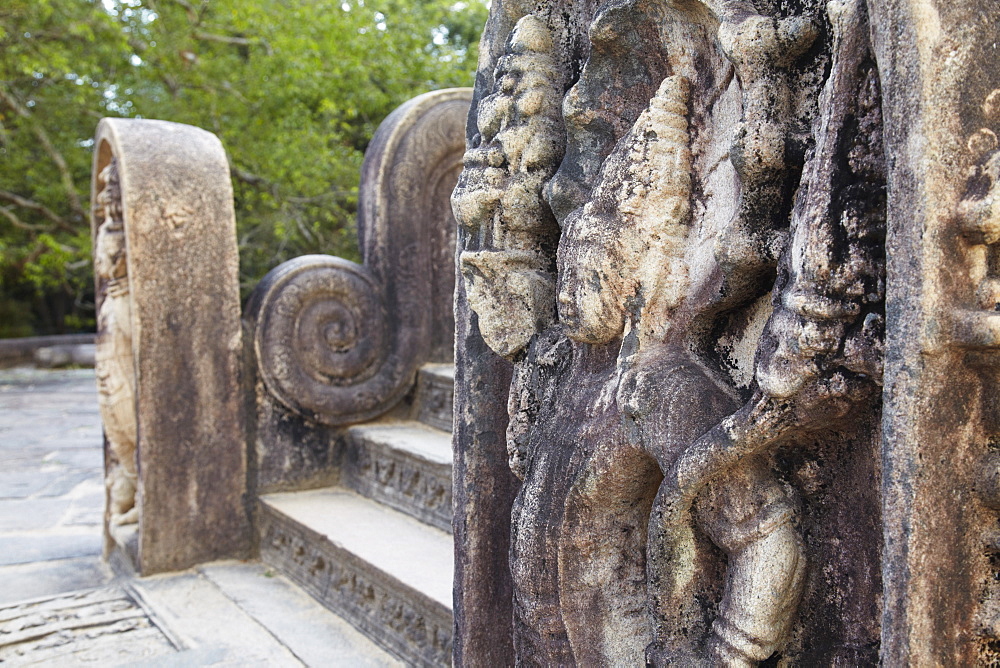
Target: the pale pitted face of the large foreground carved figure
(590, 284)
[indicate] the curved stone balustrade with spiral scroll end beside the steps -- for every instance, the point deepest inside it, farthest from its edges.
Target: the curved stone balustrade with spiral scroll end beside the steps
(338, 342)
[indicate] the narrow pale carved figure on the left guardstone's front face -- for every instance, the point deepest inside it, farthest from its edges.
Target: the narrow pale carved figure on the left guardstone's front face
(114, 361)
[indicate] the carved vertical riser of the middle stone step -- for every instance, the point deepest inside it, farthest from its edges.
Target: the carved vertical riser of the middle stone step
(411, 485)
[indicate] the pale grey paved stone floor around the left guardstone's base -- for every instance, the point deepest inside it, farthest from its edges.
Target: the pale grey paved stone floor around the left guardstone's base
(60, 605)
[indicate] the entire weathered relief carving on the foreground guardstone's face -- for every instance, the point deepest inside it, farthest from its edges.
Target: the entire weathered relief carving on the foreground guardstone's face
(686, 266)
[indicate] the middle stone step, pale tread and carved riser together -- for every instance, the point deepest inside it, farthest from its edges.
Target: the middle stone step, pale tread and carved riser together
(404, 464)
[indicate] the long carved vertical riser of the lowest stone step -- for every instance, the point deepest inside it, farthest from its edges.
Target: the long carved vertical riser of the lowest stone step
(405, 622)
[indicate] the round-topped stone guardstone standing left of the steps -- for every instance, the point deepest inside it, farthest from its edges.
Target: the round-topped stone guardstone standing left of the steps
(169, 346)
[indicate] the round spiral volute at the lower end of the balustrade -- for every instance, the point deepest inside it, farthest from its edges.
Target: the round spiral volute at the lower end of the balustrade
(322, 339)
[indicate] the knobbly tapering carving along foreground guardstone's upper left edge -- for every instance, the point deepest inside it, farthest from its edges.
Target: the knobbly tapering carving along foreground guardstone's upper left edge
(499, 196)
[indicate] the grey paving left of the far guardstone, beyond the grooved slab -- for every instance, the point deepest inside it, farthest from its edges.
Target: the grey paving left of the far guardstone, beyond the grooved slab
(51, 491)
